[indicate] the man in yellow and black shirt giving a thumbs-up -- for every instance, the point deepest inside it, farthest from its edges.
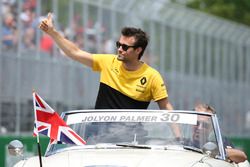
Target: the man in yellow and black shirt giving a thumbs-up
(125, 81)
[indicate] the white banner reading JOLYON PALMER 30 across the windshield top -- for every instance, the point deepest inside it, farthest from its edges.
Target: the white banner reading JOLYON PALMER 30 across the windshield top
(171, 117)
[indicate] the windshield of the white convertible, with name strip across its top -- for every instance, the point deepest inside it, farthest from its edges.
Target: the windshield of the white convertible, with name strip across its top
(140, 128)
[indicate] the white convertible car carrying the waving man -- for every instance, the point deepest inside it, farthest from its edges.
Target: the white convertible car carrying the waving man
(138, 138)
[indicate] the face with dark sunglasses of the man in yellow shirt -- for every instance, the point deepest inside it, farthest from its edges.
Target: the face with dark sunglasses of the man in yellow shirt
(126, 49)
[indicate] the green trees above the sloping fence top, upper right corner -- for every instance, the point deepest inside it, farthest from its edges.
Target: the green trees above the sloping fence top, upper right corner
(236, 10)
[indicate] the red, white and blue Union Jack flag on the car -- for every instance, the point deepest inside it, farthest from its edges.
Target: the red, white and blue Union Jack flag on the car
(49, 123)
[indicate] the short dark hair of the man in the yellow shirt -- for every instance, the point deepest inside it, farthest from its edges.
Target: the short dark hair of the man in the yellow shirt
(141, 37)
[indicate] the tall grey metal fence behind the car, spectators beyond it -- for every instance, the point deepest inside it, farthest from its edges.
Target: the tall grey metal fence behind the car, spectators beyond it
(202, 58)
